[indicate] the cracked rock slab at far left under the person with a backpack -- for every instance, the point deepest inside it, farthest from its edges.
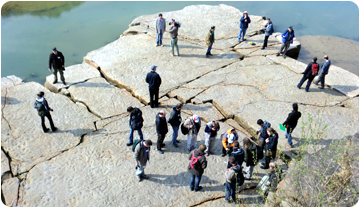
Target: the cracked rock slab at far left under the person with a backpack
(24, 140)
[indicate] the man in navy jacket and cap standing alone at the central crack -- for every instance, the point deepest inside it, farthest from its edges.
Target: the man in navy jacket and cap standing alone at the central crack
(154, 81)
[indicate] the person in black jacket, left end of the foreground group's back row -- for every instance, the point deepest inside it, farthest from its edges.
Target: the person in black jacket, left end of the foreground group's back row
(135, 123)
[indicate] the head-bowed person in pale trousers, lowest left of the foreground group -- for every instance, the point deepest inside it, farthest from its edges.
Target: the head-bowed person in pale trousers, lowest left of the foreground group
(142, 155)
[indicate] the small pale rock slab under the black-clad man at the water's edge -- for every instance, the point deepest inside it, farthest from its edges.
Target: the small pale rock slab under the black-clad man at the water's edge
(73, 74)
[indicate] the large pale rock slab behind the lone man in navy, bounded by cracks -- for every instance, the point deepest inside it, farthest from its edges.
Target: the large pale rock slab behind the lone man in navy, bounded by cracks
(120, 64)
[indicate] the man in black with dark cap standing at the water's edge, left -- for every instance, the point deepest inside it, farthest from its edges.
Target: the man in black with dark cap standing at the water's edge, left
(57, 61)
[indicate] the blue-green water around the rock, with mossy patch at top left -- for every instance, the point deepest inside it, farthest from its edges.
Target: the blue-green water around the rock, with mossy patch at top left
(29, 33)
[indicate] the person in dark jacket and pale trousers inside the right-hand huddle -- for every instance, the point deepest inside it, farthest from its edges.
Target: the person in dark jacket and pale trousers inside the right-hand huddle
(250, 157)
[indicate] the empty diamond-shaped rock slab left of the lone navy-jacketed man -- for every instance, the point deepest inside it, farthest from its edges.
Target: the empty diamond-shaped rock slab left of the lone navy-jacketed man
(102, 98)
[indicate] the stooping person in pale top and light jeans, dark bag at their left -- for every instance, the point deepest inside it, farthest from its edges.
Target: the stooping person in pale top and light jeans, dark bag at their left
(193, 123)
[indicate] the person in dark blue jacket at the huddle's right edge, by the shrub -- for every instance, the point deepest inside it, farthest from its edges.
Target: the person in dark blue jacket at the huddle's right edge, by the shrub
(270, 147)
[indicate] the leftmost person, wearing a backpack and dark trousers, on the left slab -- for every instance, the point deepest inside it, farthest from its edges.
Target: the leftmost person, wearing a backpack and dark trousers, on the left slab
(41, 105)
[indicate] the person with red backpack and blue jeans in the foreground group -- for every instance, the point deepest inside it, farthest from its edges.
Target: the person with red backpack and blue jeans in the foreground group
(196, 167)
